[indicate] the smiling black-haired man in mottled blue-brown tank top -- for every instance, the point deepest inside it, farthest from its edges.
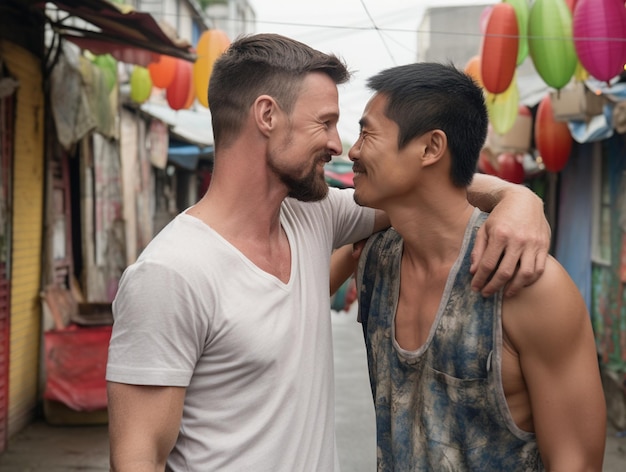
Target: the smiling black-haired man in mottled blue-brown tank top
(460, 381)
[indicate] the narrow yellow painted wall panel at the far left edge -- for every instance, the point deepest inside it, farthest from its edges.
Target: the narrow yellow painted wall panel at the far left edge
(28, 186)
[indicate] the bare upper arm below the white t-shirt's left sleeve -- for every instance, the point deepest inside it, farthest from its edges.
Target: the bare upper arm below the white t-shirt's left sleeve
(143, 425)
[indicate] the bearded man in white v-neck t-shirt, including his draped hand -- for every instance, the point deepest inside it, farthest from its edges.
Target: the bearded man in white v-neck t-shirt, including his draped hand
(221, 353)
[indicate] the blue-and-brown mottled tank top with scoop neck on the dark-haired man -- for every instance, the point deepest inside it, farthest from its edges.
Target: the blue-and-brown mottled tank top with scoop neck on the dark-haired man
(442, 407)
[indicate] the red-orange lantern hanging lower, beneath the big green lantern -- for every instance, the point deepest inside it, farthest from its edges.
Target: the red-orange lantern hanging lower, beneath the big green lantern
(552, 138)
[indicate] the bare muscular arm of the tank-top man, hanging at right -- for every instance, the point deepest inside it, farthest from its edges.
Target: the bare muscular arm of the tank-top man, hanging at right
(549, 327)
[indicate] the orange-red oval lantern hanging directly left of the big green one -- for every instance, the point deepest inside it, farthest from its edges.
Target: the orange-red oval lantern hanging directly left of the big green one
(498, 56)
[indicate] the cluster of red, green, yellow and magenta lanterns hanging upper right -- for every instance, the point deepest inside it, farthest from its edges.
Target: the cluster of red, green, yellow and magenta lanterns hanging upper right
(566, 40)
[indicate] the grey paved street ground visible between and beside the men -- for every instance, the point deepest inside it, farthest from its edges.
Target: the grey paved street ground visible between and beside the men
(42, 447)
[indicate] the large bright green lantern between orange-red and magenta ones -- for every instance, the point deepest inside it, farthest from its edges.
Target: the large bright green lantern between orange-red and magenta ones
(550, 42)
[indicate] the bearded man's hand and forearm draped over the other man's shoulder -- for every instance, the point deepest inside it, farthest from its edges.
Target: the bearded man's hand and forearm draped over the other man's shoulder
(515, 239)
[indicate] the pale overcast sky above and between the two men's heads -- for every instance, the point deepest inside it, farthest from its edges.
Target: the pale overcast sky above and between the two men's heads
(369, 34)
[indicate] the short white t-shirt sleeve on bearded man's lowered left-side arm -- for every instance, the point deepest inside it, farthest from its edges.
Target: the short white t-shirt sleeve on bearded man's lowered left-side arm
(156, 338)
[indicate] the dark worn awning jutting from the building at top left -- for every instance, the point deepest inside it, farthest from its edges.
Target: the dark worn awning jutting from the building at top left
(128, 35)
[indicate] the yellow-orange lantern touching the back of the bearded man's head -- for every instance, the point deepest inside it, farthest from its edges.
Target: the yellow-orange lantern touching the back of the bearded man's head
(211, 45)
